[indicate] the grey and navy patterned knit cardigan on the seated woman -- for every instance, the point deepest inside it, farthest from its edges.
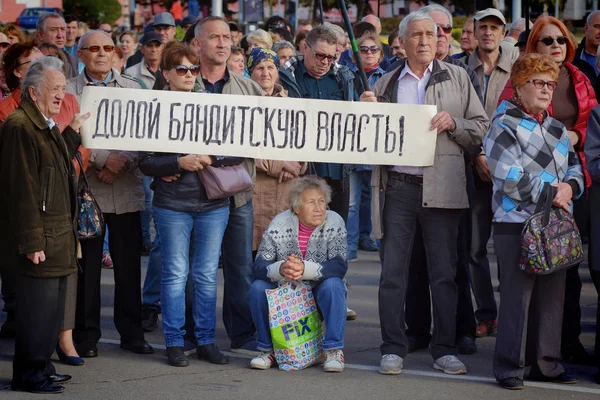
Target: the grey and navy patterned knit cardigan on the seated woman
(326, 251)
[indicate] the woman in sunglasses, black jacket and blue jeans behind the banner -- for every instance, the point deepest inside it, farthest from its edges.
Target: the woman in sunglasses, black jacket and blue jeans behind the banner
(190, 227)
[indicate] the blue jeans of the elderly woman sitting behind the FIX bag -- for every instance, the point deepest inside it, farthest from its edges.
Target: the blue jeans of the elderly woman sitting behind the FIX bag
(330, 296)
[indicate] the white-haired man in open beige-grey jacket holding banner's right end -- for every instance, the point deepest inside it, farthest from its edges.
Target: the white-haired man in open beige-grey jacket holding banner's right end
(430, 197)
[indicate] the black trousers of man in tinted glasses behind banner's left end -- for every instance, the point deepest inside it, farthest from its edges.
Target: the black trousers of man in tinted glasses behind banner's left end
(124, 241)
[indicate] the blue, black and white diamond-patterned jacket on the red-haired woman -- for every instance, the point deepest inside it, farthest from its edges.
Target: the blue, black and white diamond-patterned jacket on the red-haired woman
(522, 156)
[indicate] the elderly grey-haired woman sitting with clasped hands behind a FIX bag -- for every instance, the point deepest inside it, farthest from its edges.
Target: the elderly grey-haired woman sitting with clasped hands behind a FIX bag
(307, 242)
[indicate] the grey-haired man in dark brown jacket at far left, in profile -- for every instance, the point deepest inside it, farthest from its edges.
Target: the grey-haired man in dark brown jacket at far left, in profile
(39, 203)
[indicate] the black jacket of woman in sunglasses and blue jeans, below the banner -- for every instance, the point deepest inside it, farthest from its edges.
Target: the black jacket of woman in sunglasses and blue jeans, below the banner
(186, 194)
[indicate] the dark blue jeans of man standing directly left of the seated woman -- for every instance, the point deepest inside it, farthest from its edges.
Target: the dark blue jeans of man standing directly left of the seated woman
(237, 274)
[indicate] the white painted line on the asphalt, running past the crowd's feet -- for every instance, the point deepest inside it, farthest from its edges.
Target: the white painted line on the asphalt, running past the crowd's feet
(429, 374)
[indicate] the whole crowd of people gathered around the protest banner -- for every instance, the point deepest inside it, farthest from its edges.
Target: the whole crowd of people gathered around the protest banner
(513, 110)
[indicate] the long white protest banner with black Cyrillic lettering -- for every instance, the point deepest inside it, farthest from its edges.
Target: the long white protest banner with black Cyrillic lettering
(272, 128)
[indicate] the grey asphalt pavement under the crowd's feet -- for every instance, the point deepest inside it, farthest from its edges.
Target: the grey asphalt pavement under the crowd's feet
(117, 374)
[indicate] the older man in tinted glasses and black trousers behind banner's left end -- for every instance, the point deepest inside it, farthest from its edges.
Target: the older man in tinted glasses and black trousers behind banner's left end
(117, 185)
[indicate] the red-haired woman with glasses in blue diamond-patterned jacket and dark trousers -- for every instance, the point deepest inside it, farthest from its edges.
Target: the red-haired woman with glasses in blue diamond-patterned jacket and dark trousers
(525, 149)
